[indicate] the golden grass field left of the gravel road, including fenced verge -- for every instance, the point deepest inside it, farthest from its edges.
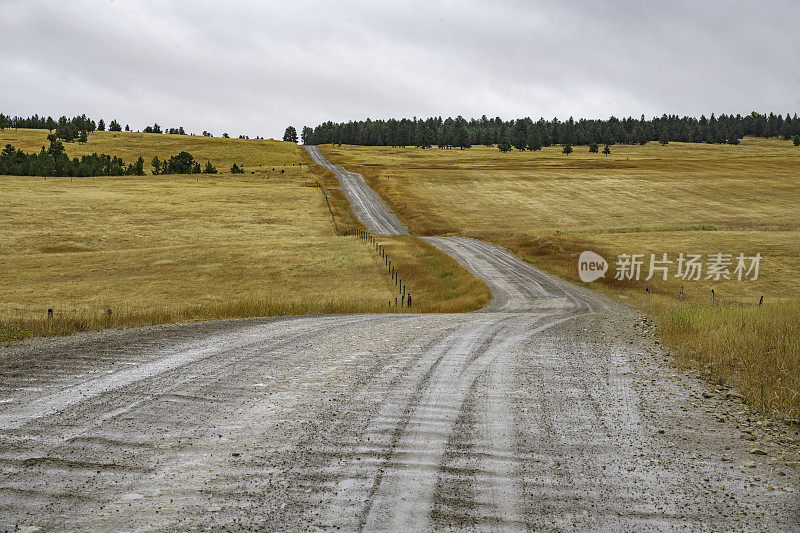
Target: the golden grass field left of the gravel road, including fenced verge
(157, 249)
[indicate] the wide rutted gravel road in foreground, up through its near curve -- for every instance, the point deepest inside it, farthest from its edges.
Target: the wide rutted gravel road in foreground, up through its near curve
(551, 409)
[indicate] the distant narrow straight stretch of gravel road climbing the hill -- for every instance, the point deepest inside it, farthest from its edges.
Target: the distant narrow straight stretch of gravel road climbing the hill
(366, 204)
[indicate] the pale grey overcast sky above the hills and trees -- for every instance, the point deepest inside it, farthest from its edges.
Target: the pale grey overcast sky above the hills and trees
(253, 67)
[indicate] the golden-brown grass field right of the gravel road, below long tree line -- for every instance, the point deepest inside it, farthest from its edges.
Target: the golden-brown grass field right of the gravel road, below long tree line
(690, 198)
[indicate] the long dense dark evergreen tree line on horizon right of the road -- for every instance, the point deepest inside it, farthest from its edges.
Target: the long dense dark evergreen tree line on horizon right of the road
(525, 134)
